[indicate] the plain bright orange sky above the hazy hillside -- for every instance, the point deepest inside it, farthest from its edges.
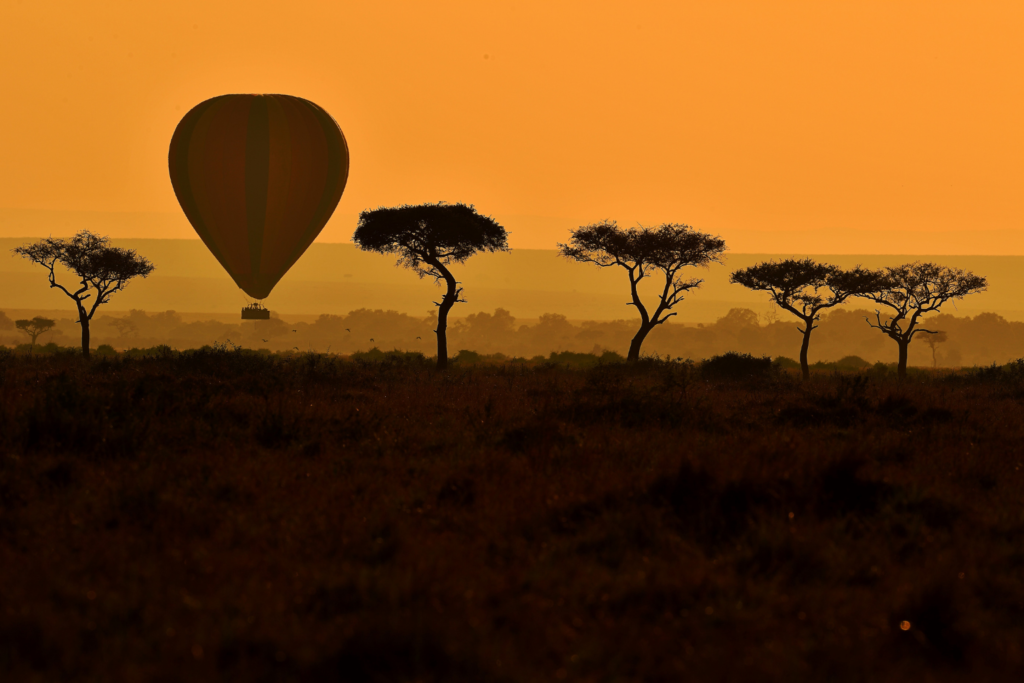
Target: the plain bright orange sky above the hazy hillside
(729, 116)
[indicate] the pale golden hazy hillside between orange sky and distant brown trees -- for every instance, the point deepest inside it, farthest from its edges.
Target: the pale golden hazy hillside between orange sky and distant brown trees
(339, 278)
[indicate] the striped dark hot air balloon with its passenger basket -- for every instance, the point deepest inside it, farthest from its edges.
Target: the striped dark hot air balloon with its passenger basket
(259, 177)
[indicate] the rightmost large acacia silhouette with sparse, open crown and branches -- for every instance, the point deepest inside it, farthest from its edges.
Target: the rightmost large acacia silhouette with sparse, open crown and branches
(912, 290)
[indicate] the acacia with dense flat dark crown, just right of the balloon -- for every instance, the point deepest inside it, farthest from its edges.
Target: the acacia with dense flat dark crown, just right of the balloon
(429, 238)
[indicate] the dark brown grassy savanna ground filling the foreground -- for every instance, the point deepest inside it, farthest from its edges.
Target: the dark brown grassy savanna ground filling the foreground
(223, 517)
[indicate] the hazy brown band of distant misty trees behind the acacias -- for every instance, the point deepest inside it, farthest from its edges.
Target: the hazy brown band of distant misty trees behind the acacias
(977, 340)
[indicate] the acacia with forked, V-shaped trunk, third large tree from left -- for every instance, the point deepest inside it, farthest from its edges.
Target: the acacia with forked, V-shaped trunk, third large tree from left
(643, 251)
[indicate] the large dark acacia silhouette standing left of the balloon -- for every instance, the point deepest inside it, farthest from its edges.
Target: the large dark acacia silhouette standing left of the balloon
(102, 271)
